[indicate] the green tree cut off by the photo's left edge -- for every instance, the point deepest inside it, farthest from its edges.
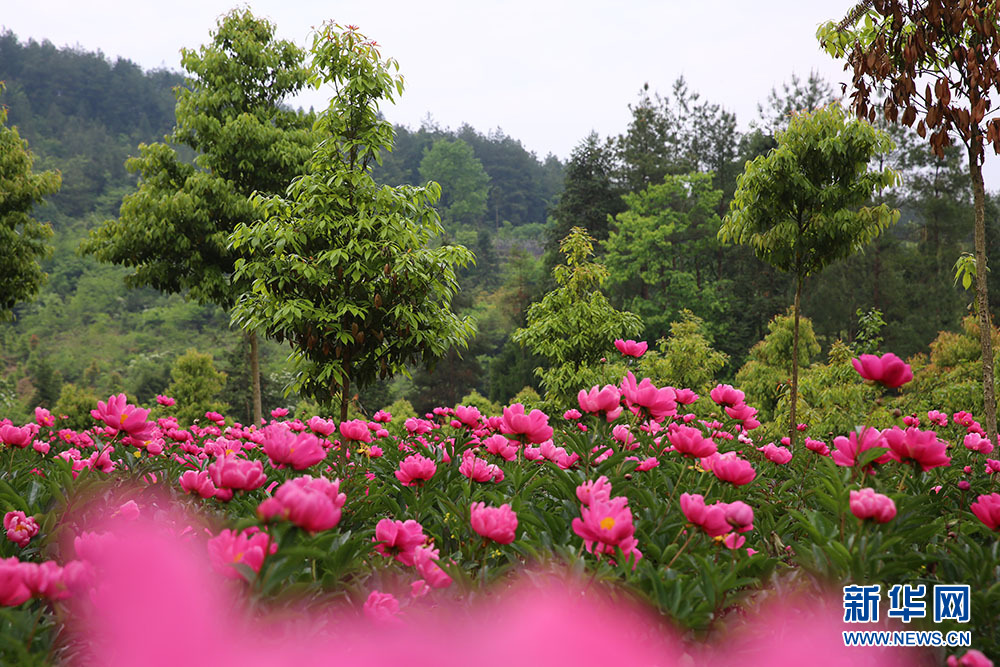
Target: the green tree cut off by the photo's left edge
(23, 240)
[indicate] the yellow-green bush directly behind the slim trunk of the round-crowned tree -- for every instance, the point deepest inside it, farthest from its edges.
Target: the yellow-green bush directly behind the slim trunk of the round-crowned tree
(767, 372)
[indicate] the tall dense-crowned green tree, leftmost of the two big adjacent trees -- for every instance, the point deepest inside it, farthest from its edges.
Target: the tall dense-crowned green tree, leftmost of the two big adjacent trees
(173, 232)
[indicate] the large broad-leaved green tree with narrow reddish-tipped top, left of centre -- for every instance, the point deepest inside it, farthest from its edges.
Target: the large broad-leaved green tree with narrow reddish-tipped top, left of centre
(340, 267)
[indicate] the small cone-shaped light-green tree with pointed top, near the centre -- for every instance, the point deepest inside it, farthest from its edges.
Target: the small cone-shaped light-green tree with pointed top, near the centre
(574, 325)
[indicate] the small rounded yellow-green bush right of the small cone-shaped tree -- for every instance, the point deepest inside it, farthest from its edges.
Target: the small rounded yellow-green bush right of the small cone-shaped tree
(686, 358)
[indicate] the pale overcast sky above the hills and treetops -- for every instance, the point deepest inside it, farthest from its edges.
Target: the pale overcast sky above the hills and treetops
(547, 73)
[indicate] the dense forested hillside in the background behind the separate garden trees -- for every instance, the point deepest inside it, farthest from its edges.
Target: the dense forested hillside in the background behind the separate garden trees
(652, 197)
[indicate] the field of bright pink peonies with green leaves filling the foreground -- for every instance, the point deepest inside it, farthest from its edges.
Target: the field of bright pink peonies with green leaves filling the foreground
(643, 525)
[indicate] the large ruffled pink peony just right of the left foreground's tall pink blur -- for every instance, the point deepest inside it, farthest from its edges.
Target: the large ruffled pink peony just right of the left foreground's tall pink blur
(311, 503)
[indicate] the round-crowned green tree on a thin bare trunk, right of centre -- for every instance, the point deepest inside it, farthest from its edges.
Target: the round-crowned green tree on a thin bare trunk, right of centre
(802, 206)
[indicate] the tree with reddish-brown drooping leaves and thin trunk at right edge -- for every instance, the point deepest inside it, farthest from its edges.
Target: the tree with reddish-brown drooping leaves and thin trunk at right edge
(894, 46)
